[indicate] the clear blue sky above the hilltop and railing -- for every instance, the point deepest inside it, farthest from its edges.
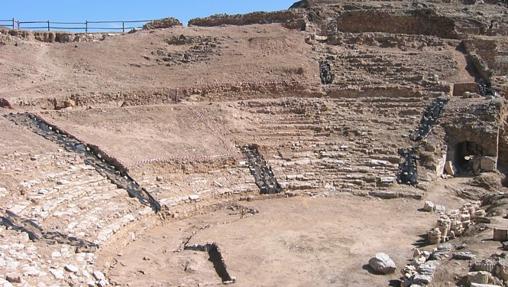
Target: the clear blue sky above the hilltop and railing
(80, 10)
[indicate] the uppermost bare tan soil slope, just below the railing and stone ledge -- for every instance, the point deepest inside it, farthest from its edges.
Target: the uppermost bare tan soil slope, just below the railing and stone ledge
(252, 54)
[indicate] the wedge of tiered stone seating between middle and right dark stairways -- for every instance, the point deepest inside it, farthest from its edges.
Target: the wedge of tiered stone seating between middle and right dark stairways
(336, 144)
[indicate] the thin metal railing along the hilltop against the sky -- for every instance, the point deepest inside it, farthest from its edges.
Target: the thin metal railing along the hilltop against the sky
(86, 27)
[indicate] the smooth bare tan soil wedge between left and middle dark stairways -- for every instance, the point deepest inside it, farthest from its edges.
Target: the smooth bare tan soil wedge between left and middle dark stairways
(140, 135)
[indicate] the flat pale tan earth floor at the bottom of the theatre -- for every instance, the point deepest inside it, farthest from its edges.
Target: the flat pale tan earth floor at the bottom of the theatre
(290, 242)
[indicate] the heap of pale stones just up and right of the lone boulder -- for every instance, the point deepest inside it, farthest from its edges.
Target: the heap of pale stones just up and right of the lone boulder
(454, 223)
